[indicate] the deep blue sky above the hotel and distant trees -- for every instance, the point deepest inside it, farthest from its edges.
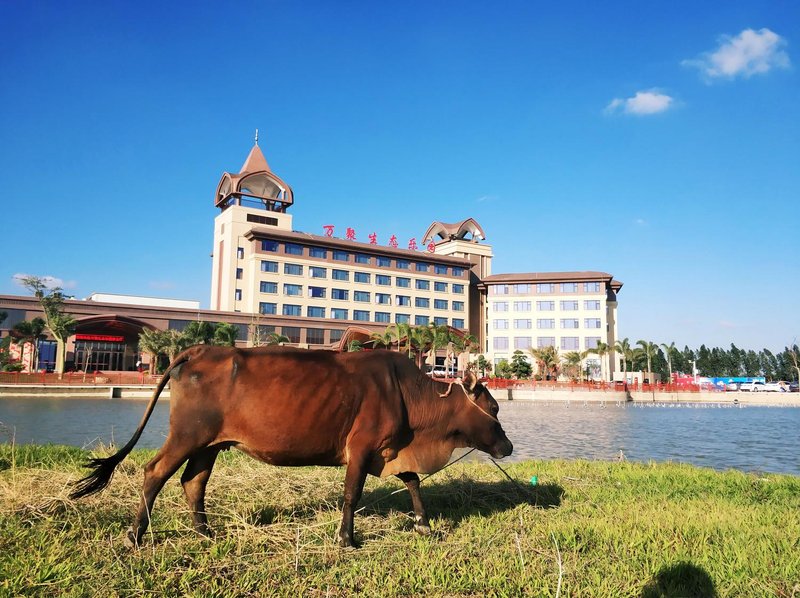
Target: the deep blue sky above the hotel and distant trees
(655, 141)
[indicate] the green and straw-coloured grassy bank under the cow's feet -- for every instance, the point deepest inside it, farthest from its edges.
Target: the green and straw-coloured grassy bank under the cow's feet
(583, 529)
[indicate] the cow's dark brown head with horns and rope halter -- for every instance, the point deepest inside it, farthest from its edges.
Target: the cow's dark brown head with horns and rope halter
(477, 421)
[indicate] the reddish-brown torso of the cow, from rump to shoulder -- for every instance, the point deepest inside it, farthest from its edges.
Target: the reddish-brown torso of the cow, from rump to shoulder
(286, 406)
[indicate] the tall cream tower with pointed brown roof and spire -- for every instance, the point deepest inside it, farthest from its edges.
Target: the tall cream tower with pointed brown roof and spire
(255, 197)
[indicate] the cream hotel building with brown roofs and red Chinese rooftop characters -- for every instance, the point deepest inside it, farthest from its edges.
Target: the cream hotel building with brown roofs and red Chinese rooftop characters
(267, 277)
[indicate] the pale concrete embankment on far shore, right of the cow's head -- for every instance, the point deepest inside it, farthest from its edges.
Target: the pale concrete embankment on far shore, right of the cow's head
(587, 396)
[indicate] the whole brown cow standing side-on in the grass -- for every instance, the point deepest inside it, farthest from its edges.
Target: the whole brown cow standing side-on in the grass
(374, 412)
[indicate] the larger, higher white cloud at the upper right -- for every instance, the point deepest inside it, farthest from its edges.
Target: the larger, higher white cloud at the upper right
(749, 53)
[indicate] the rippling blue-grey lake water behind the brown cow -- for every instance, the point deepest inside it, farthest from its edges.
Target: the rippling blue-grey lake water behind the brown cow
(722, 437)
